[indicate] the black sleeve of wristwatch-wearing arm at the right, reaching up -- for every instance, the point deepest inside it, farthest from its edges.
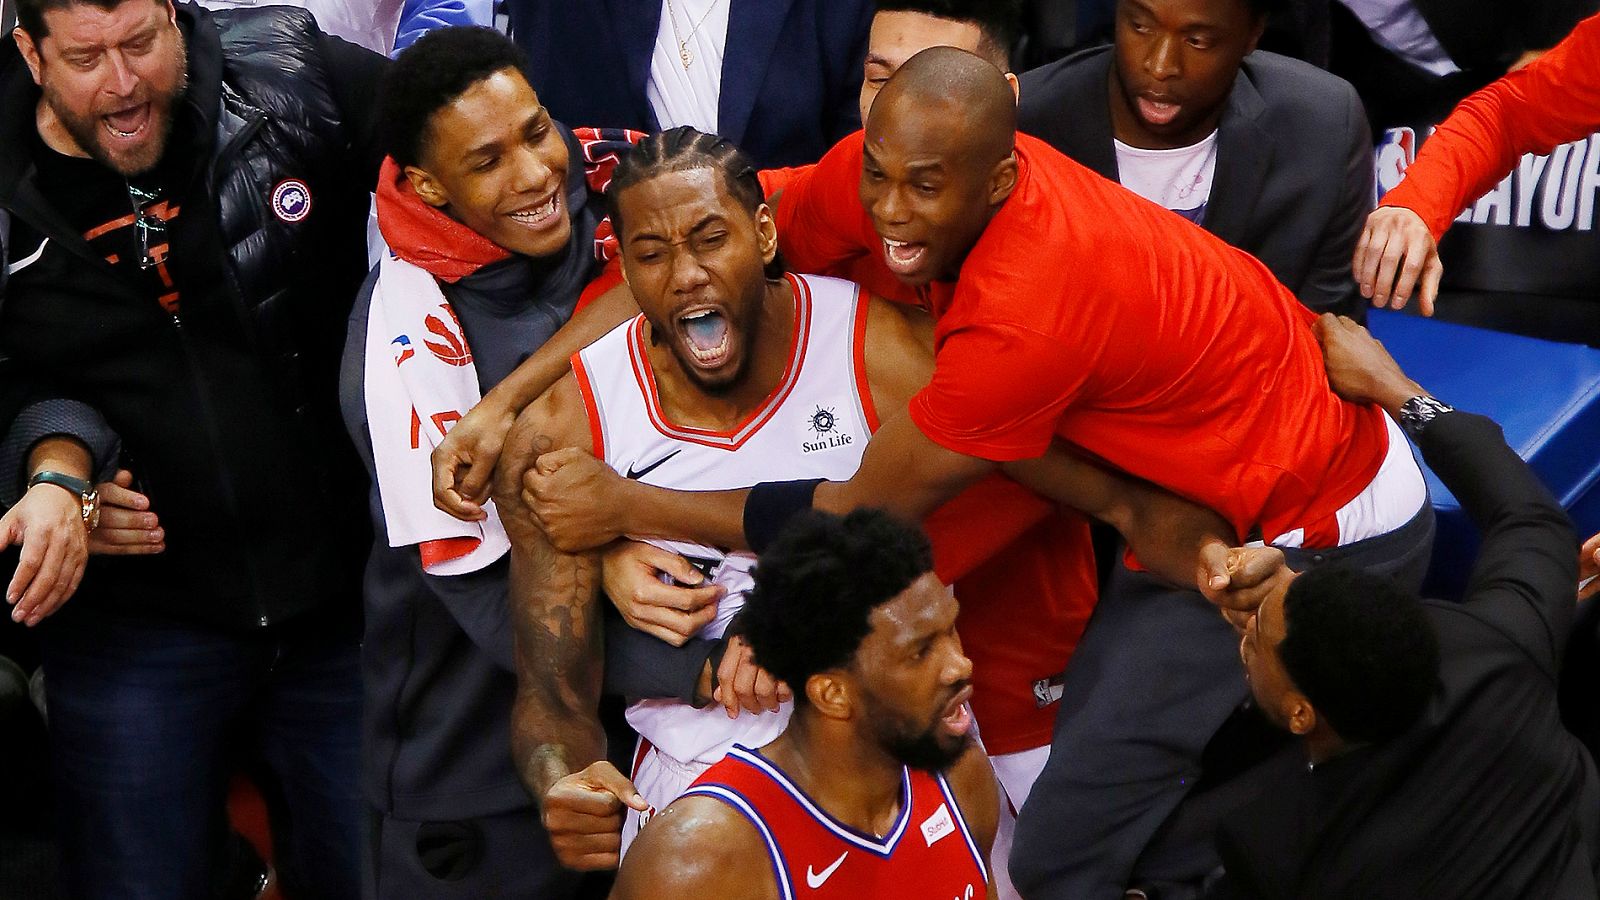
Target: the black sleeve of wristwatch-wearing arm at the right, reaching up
(1526, 579)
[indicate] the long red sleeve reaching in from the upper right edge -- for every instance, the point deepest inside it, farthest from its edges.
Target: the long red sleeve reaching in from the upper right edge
(1534, 110)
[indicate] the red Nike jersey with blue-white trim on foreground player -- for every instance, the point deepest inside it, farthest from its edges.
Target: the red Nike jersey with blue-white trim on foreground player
(929, 854)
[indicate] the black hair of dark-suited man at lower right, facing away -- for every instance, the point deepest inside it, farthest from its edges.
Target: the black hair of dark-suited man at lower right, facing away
(1361, 649)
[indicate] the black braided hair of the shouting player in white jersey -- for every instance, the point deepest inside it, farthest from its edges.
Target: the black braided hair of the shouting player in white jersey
(682, 150)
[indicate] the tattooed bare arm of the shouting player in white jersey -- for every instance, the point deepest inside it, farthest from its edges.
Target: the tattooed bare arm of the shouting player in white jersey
(554, 609)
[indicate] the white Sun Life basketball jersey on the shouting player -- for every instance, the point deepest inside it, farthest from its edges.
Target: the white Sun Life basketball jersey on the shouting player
(815, 425)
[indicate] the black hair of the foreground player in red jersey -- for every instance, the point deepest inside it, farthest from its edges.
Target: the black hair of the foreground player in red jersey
(817, 585)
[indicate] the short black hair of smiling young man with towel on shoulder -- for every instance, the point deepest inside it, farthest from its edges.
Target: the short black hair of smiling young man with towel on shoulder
(430, 76)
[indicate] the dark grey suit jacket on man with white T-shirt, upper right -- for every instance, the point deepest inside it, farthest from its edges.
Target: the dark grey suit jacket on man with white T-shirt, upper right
(1294, 166)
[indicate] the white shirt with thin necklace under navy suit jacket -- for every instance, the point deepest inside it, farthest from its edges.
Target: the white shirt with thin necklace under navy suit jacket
(689, 95)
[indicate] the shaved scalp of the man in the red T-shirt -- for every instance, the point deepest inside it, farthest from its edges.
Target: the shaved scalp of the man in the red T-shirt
(959, 94)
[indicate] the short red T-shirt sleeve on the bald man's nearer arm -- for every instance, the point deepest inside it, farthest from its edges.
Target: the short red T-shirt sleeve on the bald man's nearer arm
(999, 412)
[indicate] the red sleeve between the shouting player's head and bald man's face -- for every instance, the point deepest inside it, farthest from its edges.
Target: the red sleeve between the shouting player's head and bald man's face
(820, 217)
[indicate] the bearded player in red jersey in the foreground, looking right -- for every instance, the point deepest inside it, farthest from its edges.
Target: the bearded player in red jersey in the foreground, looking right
(876, 789)
